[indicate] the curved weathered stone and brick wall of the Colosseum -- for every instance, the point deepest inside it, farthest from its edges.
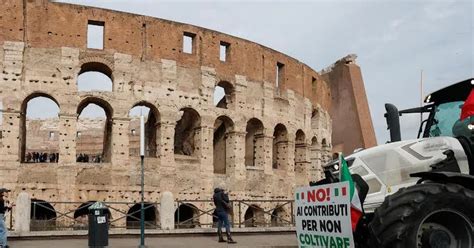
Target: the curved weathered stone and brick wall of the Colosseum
(43, 52)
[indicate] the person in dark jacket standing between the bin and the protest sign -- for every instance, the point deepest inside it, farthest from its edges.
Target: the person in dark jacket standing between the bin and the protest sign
(222, 203)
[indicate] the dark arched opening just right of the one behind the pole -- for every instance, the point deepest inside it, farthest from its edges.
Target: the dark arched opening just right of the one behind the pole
(185, 133)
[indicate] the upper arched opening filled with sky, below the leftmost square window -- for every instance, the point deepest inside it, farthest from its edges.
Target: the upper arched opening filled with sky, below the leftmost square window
(94, 76)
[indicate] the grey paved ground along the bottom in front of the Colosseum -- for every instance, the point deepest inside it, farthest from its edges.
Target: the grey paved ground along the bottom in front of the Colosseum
(254, 240)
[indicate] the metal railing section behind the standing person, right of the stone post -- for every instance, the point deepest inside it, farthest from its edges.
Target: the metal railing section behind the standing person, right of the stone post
(279, 213)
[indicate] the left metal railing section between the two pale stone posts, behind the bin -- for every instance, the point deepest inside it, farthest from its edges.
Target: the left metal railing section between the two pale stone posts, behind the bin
(67, 216)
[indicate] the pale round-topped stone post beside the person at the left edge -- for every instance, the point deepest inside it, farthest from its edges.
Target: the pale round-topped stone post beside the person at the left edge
(22, 213)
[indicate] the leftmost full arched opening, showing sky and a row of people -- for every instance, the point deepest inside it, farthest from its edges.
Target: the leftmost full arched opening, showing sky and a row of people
(39, 131)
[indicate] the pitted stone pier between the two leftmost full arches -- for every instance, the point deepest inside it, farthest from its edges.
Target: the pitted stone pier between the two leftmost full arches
(67, 138)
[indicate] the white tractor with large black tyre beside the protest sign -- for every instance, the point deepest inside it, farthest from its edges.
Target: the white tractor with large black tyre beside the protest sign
(420, 192)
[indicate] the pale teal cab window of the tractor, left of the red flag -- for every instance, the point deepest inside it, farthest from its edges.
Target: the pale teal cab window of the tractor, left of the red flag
(446, 115)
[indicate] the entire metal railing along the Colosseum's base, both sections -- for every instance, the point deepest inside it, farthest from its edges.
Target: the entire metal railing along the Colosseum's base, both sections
(188, 214)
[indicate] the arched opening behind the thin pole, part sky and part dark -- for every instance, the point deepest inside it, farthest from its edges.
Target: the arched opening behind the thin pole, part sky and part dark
(151, 119)
